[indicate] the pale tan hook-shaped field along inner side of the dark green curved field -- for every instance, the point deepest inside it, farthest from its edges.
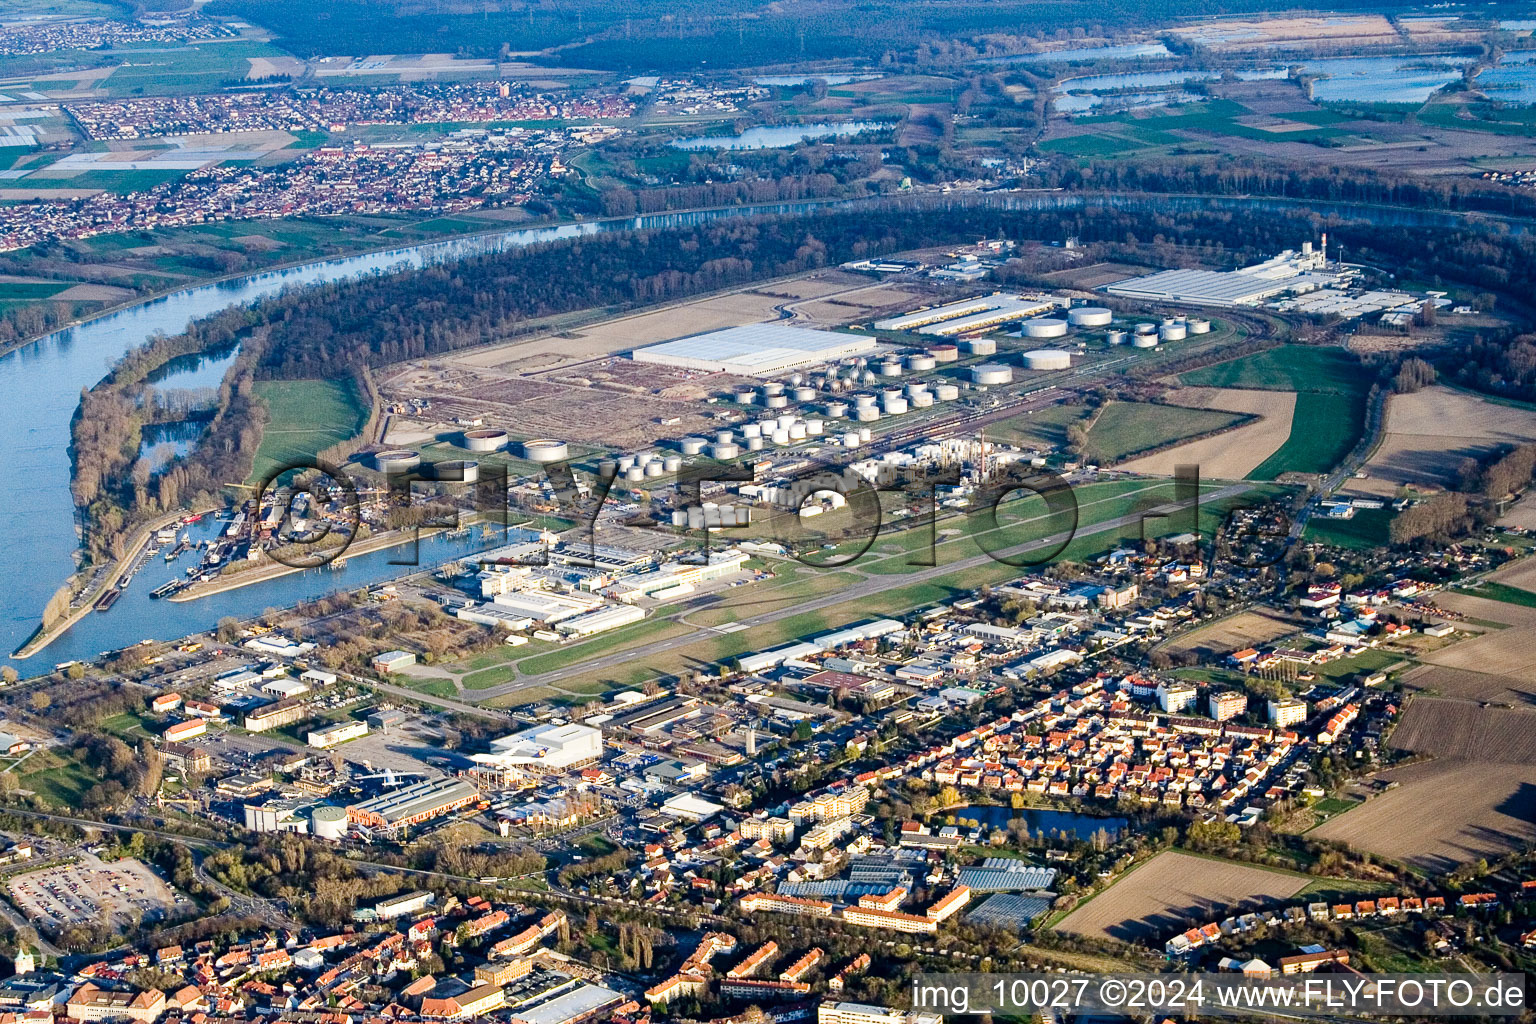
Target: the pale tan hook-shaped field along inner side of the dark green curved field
(1234, 454)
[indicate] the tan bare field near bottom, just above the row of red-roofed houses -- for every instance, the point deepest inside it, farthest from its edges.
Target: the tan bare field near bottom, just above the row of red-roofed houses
(1174, 891)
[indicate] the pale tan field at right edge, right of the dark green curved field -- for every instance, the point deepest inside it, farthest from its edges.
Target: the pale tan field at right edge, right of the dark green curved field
(1429, 434)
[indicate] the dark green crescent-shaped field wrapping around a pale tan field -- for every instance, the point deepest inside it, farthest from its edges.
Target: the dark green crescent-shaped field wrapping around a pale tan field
(1331, 388)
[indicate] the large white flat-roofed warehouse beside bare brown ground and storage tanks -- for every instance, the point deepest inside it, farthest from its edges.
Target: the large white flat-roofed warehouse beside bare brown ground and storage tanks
(756, 349)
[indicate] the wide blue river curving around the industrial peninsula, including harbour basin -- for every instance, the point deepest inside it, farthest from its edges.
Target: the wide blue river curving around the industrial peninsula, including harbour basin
(42, 385)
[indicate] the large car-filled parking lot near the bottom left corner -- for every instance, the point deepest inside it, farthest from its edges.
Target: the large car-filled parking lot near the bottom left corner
(125, 893)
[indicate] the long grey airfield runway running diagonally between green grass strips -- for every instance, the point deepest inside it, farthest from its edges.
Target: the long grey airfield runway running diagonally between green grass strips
(867, 587)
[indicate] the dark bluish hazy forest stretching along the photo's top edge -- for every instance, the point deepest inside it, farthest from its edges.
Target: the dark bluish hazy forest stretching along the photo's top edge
(663, 36)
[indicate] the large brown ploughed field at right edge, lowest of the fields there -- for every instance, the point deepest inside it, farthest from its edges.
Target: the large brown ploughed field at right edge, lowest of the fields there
(1443, 813)
